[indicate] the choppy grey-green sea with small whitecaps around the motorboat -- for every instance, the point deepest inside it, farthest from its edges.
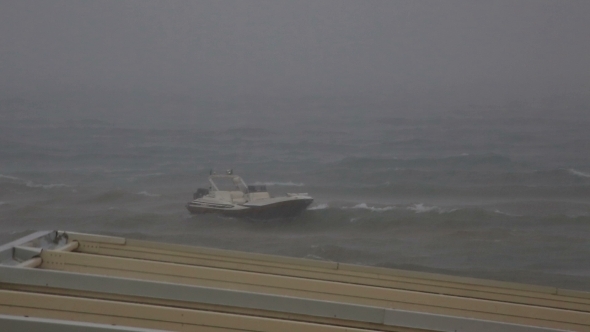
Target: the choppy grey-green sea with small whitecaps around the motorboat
(490, 194)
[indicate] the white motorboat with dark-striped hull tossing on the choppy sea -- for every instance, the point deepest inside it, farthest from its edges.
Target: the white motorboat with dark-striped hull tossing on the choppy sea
(241, 200)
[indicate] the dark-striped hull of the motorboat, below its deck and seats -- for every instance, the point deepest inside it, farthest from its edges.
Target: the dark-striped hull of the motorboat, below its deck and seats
(284, 209)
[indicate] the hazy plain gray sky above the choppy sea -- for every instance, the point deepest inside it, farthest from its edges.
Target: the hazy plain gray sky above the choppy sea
(466, 49)
